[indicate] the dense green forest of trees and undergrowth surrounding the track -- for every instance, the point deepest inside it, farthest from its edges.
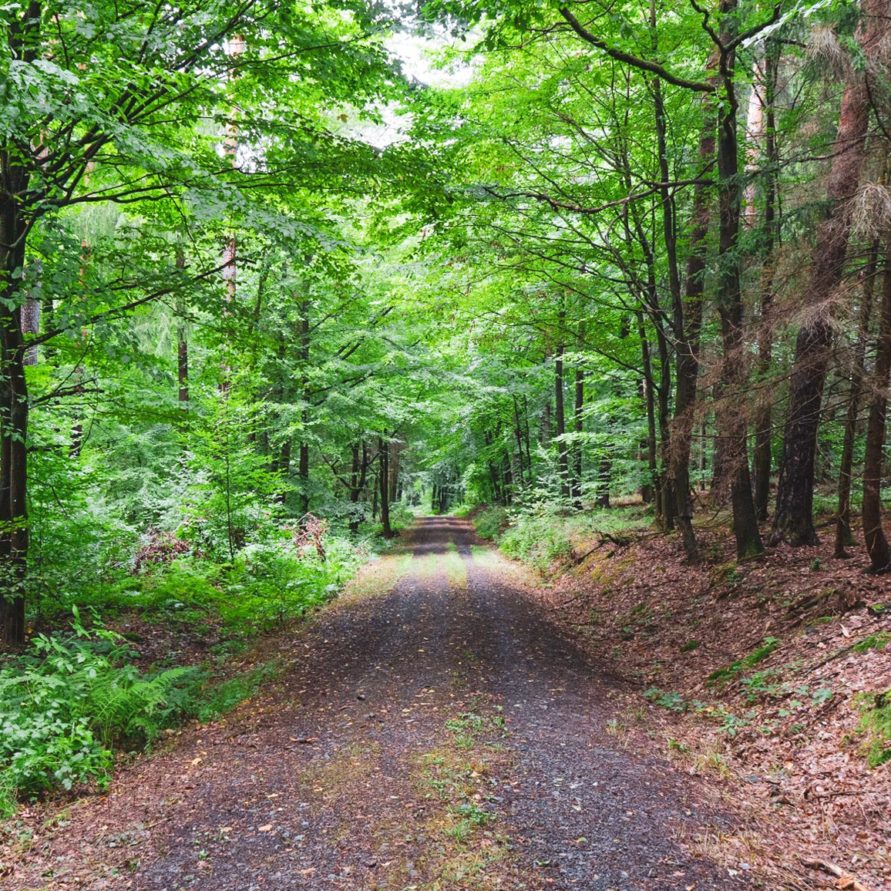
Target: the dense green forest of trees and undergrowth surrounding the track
(276, 276)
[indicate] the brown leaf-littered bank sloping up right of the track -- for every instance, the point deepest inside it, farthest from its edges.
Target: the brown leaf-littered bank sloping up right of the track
(770, 680)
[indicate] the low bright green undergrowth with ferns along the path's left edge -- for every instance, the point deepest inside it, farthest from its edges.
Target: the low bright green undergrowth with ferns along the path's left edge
(75, 697)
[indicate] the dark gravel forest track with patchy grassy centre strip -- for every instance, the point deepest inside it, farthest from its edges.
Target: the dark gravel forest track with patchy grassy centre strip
(431, 731)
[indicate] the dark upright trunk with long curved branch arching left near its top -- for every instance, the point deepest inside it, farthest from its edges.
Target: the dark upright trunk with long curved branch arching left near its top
(734, 423)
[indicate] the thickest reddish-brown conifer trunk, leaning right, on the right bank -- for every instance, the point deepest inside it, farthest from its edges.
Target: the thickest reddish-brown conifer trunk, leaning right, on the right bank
(794, 520)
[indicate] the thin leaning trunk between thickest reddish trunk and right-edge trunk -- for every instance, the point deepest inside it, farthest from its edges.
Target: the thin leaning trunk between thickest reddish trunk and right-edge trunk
(843, 536)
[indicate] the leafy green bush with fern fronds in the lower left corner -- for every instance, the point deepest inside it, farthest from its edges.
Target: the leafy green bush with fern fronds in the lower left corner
(68, 701)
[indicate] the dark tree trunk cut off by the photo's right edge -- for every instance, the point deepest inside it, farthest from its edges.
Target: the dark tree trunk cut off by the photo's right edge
(873, 532)
